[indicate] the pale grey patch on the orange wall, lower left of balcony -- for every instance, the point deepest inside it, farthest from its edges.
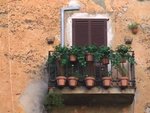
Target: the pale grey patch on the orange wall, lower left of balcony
(33, 96)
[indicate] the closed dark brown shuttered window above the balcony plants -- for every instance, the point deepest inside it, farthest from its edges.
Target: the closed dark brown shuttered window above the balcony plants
(89, 31)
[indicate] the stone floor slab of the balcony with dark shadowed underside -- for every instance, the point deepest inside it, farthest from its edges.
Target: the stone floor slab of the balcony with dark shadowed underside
(97, 96)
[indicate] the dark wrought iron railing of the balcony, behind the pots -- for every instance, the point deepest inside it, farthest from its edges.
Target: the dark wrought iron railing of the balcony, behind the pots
(95, 68)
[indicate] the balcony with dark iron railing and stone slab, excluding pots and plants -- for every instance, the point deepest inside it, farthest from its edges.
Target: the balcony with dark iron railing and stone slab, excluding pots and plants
(113, 93)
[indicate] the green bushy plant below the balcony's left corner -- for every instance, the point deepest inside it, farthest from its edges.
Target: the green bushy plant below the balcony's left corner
(52, 100)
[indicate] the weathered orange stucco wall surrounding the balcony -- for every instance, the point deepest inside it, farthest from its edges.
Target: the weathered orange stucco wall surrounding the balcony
(26, 24)
